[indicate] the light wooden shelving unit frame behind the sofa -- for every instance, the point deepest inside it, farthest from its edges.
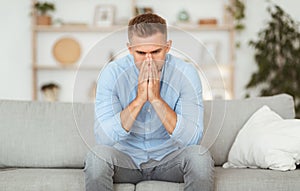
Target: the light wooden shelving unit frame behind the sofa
(86, 29)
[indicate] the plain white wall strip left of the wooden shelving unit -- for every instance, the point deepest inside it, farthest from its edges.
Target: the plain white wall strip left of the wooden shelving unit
(15, 52)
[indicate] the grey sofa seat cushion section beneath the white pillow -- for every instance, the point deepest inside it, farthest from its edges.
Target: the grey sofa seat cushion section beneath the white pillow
(255, 179)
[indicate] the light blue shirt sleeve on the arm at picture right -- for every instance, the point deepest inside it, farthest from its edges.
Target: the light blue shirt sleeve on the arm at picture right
(189, 110)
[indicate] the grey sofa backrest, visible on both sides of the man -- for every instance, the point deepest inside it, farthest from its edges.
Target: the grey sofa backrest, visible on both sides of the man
(58, 135)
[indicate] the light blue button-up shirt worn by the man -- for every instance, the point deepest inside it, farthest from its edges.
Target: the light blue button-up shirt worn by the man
(180, 88)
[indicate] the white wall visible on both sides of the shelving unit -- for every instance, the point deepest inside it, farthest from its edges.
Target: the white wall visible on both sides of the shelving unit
(15, 48)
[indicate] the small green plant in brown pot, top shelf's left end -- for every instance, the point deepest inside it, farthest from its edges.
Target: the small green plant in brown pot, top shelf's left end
(43, 8)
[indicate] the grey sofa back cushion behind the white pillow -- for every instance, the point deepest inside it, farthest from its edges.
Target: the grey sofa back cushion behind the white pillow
(224, 119)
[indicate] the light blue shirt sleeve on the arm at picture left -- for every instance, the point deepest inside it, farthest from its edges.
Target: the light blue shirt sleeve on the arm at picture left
(108, 128)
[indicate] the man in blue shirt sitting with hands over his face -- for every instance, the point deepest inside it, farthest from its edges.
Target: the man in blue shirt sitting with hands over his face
(149, 116)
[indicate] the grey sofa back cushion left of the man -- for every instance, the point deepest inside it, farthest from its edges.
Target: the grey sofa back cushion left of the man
(41, 134)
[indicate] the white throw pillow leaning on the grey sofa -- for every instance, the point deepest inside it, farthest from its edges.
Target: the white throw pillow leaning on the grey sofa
(266, 141)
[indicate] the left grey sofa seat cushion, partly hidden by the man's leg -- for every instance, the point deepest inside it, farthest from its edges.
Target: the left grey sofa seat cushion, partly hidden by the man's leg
(36, 179)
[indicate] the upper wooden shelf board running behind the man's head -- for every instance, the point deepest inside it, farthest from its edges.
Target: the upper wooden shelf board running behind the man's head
(71, 28)
